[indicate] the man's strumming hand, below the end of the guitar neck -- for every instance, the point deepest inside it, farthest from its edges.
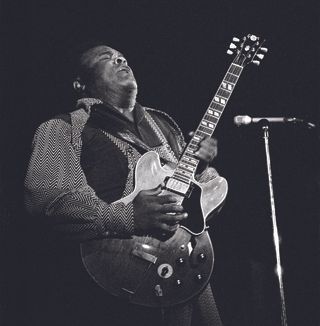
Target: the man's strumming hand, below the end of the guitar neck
(154, 211)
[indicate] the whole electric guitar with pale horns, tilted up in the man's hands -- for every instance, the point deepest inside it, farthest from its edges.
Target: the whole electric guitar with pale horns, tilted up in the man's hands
(159, 271)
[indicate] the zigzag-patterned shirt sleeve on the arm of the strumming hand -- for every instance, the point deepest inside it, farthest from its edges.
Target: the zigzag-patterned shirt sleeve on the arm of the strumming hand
(56, 187)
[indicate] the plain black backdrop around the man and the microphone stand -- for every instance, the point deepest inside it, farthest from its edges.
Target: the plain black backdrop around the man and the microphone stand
(177, 50)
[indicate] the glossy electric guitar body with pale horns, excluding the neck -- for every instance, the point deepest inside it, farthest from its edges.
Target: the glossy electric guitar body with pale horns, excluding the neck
(157, 270)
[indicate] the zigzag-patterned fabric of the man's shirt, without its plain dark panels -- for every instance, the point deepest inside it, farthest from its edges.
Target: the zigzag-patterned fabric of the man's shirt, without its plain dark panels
(56, 186)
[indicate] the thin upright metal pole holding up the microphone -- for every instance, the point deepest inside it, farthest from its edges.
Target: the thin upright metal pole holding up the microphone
(265, 129)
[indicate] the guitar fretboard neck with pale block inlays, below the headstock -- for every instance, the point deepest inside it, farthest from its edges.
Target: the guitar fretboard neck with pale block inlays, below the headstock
(188, 163)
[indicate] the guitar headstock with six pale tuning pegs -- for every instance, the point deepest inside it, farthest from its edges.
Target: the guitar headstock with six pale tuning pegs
(248, 49)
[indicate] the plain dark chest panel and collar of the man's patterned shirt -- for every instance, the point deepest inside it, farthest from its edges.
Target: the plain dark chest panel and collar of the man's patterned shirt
(105, 167)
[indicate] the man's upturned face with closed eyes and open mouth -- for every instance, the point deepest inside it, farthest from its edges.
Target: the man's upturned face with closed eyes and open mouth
(108, 72)
